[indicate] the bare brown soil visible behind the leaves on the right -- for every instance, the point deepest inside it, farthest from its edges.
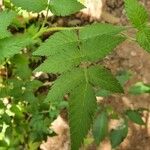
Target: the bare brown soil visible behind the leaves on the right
(129, 56)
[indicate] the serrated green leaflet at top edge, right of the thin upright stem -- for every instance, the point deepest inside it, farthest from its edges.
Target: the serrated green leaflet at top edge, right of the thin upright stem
(65, 7)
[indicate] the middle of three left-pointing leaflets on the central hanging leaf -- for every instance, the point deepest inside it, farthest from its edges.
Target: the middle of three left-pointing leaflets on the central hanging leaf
(62, 62)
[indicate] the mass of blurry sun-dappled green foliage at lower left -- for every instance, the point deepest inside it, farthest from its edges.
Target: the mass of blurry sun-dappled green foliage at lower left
(24, 107)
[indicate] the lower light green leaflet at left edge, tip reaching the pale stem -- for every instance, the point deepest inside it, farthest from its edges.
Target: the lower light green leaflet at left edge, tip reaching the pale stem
(13, 45)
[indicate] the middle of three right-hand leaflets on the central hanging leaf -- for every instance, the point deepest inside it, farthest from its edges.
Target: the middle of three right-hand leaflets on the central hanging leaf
(99, 47)
